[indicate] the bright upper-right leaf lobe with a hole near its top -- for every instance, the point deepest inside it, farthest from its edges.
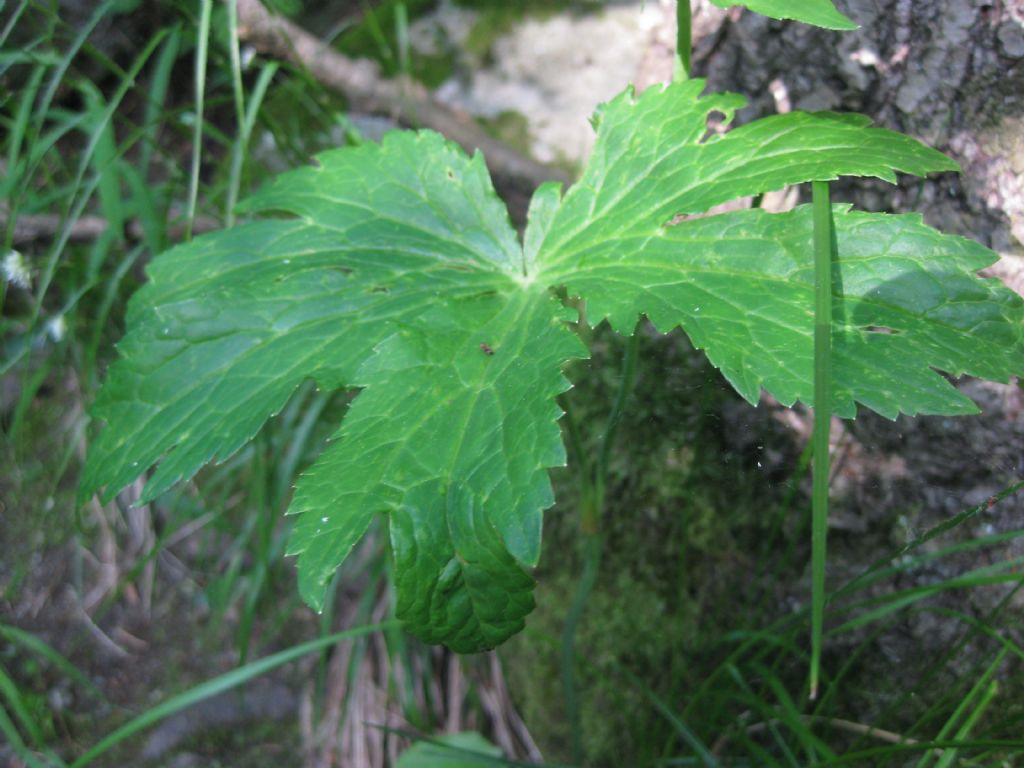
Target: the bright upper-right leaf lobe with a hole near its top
(651, 164)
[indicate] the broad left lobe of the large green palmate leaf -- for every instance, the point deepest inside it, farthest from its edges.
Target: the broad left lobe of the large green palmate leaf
(231, 325)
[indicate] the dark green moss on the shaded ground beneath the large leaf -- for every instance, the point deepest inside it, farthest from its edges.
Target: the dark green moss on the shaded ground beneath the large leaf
(685, 518)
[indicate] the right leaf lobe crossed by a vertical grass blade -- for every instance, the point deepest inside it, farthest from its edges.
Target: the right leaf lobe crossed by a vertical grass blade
(743, 287)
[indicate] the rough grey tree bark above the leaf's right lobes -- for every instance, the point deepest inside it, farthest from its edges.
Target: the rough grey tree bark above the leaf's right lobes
(949, 72)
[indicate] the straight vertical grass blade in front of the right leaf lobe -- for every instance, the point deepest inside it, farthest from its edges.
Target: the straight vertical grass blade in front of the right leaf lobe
(824, 250)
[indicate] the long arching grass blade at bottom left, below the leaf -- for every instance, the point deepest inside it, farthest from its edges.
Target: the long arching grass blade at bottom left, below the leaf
(219, 686)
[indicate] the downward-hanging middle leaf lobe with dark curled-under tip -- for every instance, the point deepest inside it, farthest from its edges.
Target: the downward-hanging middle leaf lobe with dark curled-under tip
(452, 436)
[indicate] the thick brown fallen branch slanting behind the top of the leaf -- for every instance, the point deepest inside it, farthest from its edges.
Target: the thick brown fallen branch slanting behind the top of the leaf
(359, 80)
